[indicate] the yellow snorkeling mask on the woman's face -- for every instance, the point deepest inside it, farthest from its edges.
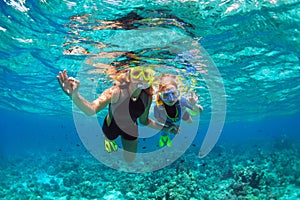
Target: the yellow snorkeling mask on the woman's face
(144, 76)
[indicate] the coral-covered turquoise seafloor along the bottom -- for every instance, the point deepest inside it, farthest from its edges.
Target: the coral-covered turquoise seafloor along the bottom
(248, 171)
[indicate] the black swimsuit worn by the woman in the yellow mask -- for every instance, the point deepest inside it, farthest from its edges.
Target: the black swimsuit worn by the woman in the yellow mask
(136, 109)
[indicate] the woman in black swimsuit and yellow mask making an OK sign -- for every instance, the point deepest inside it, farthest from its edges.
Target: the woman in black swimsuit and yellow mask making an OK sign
(128, 100)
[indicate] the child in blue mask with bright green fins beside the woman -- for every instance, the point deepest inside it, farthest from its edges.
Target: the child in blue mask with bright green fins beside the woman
(170, 107)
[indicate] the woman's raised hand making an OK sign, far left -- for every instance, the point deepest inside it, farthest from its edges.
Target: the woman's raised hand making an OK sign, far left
(68, 84)
